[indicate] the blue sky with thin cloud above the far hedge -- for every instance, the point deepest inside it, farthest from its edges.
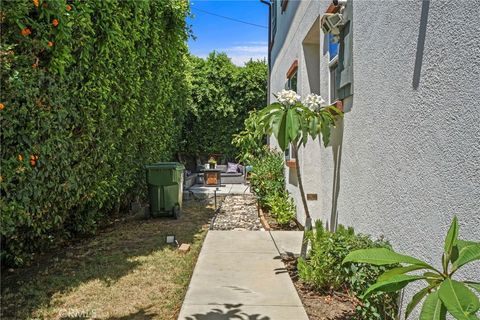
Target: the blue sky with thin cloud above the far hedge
(240, 41)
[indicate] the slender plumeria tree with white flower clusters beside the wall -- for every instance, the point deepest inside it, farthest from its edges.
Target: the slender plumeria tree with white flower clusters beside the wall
(292, 121)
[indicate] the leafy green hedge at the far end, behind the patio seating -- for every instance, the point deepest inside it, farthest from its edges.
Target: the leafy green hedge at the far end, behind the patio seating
(223, 94)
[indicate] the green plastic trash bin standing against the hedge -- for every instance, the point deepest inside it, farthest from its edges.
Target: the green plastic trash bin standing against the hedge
(165, 188)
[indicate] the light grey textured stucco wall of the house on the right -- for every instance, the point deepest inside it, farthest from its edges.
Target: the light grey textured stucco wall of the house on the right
(406, 158)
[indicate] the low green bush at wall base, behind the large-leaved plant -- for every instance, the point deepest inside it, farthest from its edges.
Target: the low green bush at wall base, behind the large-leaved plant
(324, 270)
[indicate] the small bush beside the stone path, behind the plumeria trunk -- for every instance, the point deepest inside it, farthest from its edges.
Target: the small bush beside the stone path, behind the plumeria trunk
(268, 177)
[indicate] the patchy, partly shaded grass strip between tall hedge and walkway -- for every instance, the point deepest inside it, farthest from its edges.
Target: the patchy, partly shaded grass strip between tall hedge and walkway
(125, 272)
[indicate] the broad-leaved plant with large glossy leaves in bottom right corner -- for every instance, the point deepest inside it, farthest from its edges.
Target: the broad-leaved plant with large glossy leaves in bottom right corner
(442, 294)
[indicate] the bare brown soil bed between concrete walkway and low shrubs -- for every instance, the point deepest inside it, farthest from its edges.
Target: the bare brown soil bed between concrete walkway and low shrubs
(320, 306)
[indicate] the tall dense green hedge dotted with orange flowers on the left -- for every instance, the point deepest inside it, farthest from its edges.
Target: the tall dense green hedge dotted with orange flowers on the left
(90, 91)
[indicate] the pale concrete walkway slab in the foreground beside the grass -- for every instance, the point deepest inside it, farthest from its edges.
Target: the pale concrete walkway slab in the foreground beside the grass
(239, 275)
